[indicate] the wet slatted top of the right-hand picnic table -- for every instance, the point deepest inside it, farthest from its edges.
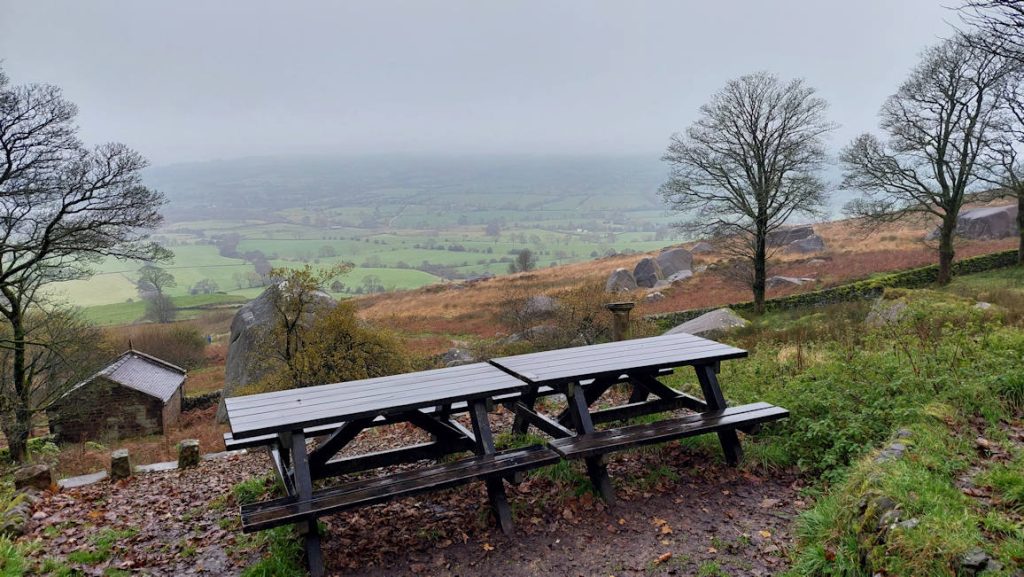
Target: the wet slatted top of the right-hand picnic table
(621, 357)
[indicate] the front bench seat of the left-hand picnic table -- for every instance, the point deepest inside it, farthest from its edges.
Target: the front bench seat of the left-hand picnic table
(287, 511)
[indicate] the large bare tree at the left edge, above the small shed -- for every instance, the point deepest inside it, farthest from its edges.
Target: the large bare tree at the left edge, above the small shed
(63, 208)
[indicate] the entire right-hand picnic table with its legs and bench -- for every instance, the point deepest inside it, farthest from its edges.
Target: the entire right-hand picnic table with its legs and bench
(585, 375)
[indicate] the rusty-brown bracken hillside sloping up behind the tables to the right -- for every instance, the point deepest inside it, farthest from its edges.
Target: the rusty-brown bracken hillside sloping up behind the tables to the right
(434, 316)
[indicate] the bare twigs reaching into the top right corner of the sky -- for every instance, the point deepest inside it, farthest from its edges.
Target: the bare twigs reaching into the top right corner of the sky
(1000, 26)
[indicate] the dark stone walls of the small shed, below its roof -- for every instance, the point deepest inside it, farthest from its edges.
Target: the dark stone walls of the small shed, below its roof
(104, 410)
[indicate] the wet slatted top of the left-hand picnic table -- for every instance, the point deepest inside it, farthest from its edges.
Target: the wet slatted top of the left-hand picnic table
(298, 408)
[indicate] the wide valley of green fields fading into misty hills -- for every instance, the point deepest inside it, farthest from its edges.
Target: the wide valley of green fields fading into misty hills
(405, 223)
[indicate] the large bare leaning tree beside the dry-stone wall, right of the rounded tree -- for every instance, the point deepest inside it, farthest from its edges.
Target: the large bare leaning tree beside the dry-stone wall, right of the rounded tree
(941, 127)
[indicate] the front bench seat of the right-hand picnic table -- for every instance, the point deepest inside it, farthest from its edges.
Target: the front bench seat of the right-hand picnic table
(618, 439)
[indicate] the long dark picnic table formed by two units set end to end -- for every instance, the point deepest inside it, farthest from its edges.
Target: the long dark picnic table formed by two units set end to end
(336, 414)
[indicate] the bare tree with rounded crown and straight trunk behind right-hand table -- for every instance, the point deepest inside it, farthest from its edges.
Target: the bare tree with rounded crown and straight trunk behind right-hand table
(749, 164)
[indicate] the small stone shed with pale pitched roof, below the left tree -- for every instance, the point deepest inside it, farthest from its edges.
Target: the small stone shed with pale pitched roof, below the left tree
(136, 396)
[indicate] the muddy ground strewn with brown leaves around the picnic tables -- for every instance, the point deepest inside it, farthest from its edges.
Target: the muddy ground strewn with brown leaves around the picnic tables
(710, 518)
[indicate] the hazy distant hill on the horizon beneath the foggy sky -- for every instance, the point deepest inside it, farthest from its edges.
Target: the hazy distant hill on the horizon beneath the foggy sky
(273, 184)
